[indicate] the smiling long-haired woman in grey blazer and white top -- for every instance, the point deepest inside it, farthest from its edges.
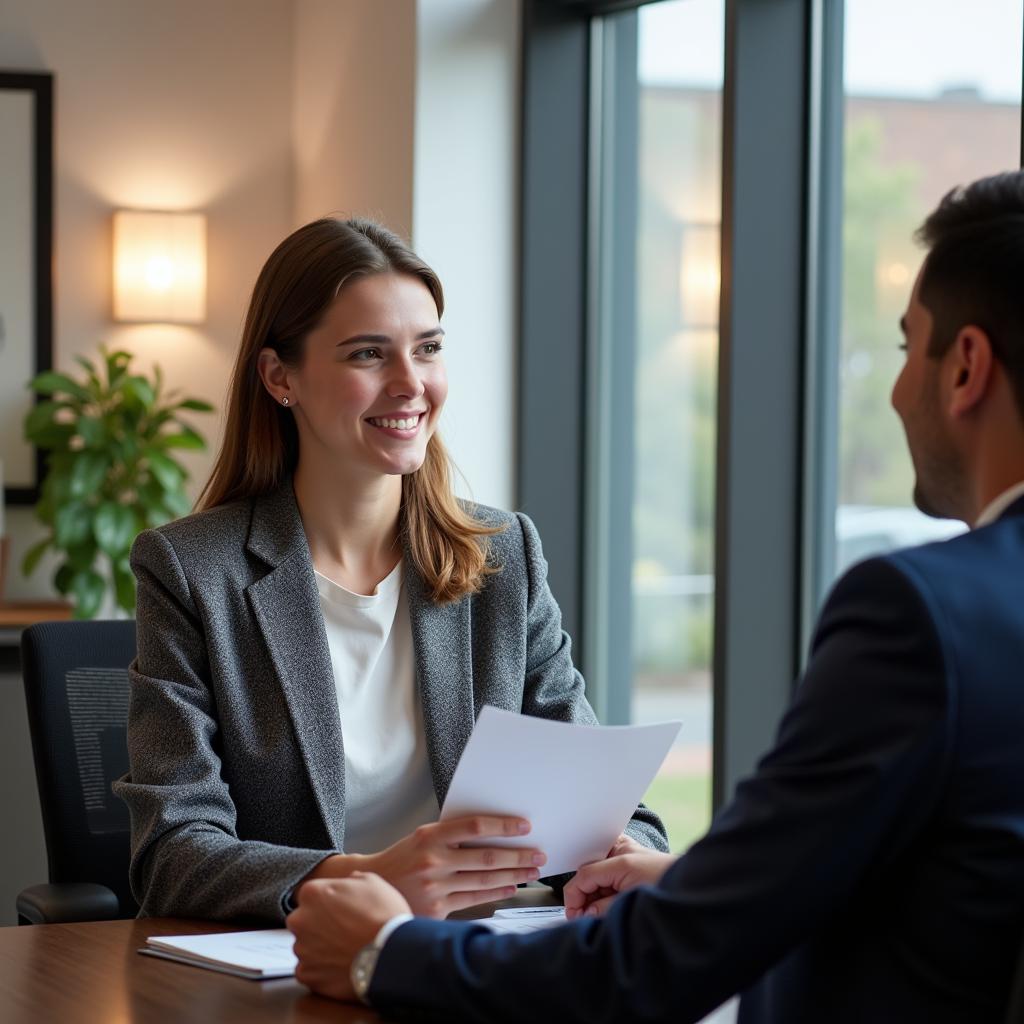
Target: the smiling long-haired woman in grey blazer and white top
(315, 645)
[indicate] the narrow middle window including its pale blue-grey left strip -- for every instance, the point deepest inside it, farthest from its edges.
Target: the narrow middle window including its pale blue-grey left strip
(656, 188)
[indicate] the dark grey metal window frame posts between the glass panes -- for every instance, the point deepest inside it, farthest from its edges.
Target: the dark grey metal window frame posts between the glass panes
(779, 326)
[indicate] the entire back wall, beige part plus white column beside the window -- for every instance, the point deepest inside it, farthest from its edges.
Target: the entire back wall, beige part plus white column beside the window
(267, 114)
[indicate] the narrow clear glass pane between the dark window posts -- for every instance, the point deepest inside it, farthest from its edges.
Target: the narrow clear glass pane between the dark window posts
(679, 185)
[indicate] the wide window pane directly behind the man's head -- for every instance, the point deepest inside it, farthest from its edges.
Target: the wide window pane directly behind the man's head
(932, 100)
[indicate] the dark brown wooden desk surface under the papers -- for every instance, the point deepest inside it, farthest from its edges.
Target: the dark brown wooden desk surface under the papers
(92, 973)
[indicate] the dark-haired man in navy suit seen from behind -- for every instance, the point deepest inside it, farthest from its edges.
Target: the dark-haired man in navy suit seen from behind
(873, 868)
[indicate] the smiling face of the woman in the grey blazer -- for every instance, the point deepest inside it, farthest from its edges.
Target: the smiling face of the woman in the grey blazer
(372, 383)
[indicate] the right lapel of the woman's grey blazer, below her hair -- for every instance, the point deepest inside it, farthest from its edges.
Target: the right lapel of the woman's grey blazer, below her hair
(444, 674)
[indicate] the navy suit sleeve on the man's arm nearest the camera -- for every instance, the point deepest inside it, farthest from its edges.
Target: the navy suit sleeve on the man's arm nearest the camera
(859, 767)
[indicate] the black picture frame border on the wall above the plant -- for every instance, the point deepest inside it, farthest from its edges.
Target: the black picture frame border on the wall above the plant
(40, 87)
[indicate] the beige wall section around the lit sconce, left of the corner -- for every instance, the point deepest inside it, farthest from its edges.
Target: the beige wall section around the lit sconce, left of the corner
(185, 105)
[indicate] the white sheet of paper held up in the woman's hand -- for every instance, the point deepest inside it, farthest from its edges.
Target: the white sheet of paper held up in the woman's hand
(578, 785)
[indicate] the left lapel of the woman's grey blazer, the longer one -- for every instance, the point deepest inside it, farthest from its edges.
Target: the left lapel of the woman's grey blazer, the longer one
(287, 608)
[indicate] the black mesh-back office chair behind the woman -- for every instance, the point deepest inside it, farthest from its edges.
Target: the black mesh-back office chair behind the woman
(76, 691)
